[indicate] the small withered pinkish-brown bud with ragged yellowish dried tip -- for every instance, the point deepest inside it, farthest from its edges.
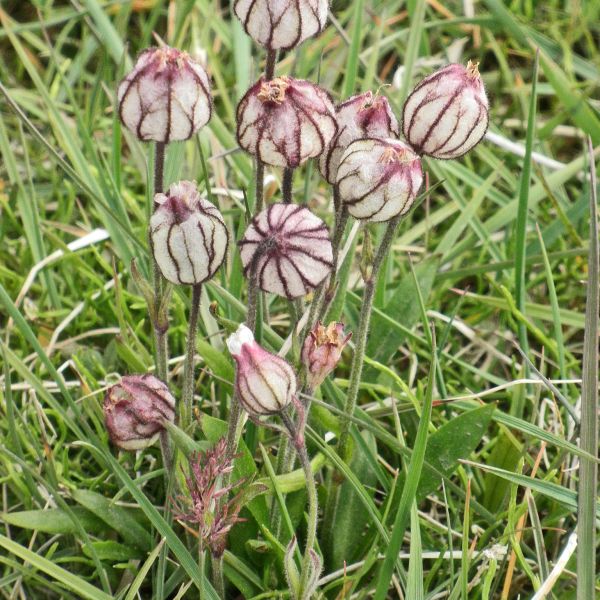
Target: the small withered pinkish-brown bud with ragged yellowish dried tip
(322, 350)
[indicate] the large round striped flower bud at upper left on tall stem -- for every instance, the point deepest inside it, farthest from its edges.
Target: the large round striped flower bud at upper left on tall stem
(166, 98)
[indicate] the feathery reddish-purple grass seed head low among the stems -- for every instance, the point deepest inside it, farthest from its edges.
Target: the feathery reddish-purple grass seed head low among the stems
(204, 508)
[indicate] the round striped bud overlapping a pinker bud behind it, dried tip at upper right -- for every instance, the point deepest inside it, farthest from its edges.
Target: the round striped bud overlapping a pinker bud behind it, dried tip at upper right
(379, 179)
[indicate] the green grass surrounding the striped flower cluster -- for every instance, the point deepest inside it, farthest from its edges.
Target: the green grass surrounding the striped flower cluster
(496, 258)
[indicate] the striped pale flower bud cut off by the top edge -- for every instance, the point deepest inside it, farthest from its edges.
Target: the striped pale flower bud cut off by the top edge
(281, 24)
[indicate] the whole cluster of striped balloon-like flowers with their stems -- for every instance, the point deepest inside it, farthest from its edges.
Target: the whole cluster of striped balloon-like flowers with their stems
(286, 250)
